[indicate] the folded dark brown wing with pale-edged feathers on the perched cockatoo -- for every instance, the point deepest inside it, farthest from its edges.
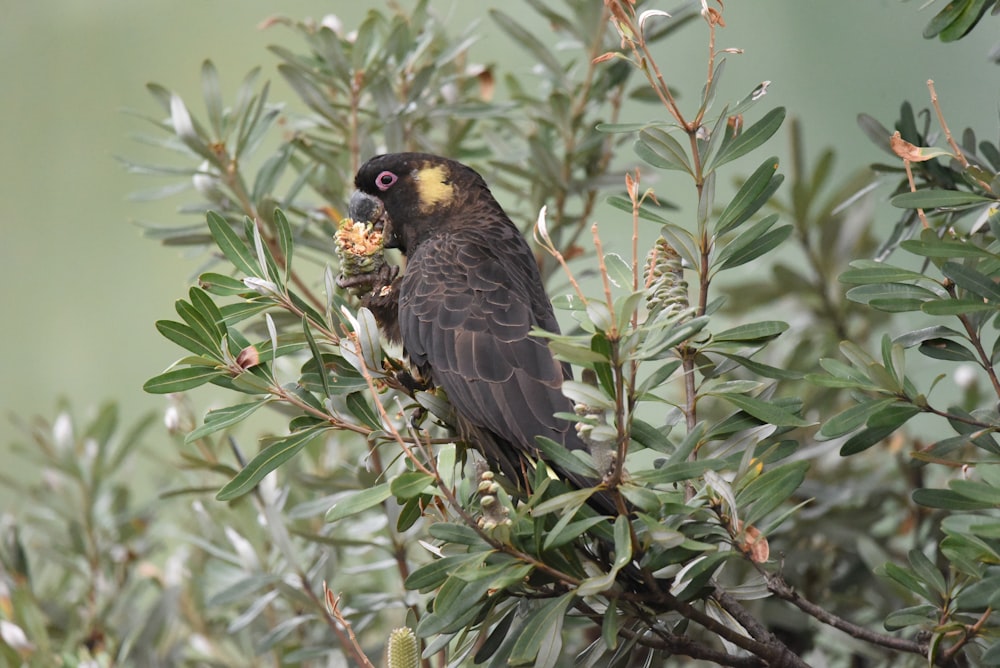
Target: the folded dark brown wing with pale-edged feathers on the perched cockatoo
(466, 311)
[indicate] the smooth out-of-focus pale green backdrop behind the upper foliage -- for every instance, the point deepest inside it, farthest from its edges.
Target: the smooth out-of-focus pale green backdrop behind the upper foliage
(82, 288)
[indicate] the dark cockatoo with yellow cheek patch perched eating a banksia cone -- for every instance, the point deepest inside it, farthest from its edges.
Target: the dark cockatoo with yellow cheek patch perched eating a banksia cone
(465, 307)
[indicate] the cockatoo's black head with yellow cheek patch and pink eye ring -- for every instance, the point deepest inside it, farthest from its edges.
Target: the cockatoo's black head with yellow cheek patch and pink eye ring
(413, 195)
